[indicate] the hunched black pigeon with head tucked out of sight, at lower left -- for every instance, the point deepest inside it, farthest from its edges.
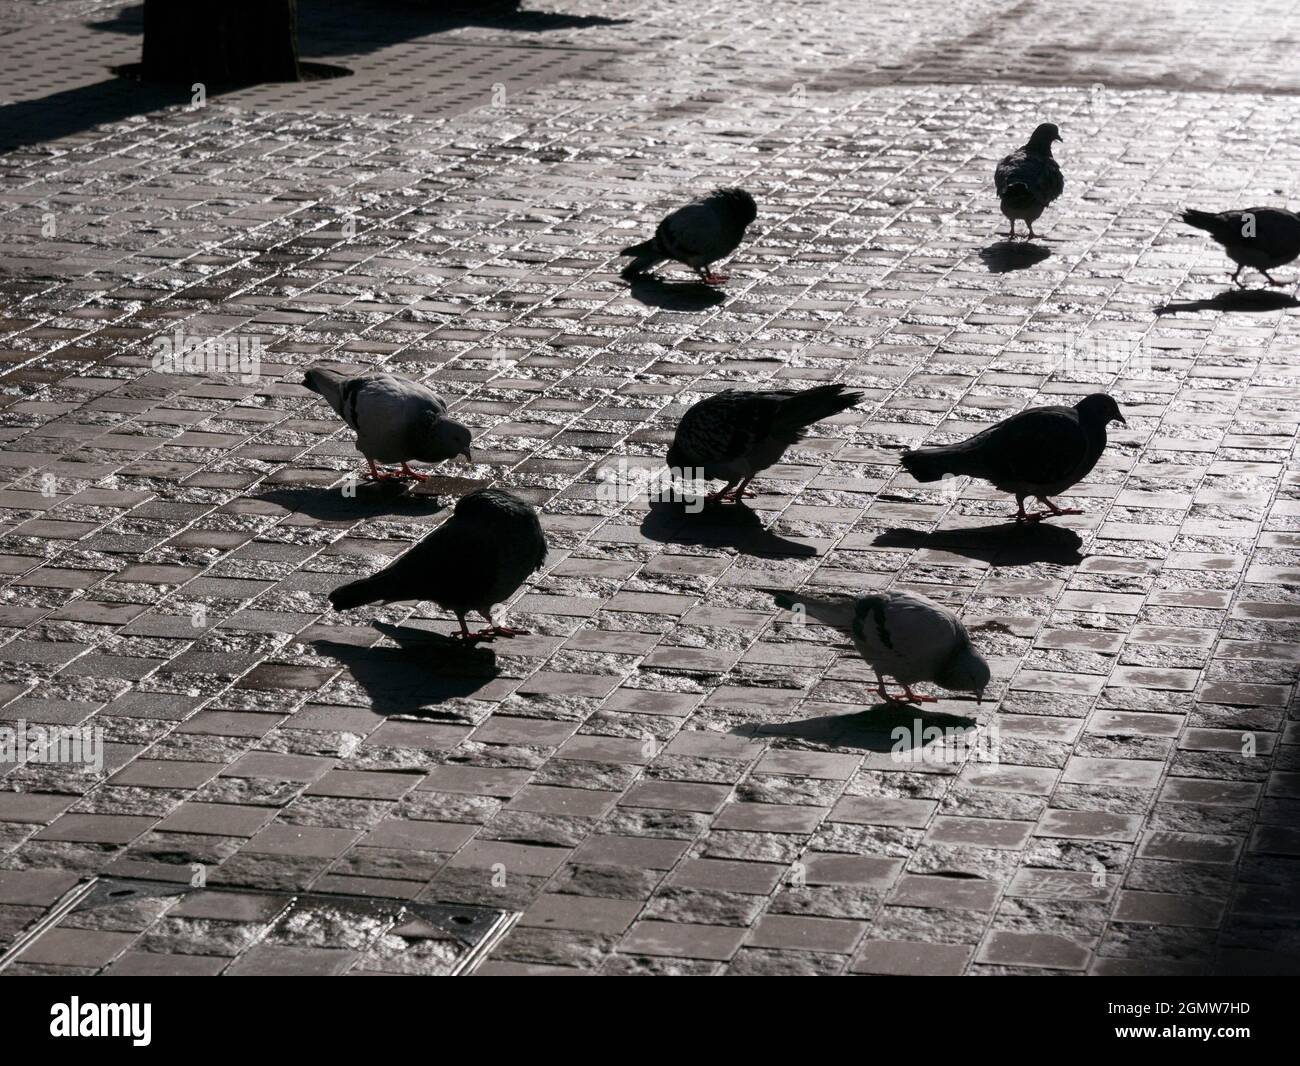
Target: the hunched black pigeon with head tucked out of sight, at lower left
(473, 562)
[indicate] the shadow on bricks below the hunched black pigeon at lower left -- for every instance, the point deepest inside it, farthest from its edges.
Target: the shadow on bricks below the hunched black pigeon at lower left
(423, 673)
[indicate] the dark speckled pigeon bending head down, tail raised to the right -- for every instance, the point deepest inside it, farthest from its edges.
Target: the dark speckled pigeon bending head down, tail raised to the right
(736, 435)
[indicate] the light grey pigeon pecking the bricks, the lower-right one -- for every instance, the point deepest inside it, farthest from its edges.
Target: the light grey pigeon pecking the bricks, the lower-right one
(903, 635)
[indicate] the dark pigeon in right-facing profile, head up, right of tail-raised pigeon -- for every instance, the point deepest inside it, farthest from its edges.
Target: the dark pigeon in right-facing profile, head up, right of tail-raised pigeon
(1039, 453)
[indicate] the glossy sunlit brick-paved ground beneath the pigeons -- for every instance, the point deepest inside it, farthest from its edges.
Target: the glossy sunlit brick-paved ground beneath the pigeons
(666, 778)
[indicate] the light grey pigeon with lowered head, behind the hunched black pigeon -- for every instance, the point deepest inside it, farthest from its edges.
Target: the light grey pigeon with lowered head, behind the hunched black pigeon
(397, 421)
